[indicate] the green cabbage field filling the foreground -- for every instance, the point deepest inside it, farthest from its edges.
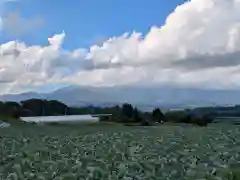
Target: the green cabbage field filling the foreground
(118, 152)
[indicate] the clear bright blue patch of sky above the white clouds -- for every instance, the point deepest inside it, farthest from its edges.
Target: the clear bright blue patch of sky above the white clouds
(88, 22)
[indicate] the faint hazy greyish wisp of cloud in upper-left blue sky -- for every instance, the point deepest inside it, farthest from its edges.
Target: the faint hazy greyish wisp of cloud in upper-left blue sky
(15, 25)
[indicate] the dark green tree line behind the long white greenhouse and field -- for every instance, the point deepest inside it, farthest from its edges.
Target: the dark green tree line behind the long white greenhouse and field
(126, 113)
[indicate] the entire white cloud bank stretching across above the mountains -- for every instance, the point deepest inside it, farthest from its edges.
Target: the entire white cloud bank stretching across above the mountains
(199, 45)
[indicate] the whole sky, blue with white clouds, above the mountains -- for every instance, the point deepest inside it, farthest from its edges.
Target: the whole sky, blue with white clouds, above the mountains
(45, 45)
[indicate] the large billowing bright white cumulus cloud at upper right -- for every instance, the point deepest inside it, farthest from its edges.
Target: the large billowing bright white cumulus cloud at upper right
(197, 30)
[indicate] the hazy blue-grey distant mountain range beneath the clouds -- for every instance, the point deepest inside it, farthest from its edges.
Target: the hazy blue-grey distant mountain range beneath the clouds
(143, 97)
